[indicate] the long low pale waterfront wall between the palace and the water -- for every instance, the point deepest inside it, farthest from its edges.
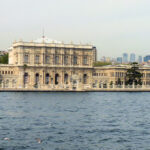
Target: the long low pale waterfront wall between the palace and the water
(86, 88)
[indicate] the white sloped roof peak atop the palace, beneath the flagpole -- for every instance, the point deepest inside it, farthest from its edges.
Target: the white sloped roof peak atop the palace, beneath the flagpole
(46, 40)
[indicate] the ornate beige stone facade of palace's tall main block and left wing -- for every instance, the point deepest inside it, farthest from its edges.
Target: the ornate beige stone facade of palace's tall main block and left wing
(48, 65)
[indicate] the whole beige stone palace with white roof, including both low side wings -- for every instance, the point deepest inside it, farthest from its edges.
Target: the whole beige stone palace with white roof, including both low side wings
(52, 65)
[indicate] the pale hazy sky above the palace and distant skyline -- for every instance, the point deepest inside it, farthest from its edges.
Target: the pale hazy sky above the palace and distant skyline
(113, 26)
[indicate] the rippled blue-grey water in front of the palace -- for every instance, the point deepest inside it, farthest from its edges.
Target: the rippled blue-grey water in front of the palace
(75, 121)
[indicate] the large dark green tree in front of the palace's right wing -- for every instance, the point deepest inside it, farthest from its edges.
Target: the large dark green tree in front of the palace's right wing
(133, 76)
